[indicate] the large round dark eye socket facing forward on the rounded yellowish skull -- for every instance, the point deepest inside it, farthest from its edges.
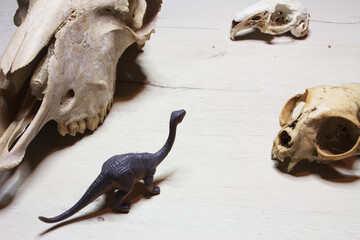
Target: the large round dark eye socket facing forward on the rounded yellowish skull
(337, 135)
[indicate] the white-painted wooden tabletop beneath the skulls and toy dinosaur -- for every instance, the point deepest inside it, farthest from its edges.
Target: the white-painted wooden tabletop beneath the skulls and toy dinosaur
(219, 181)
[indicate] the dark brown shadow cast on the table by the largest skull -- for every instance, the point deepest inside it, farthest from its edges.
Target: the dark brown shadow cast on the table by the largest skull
(130, 82)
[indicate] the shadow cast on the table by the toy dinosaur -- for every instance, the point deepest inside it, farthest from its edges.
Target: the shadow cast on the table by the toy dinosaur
(139, 193)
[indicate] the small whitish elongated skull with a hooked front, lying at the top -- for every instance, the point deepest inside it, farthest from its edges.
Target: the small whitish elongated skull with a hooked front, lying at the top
(273, 17)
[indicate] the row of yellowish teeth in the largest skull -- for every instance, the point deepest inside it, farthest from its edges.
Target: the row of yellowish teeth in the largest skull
(80, 126)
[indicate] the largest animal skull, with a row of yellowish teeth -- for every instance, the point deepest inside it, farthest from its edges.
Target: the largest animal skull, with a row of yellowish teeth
(61, 65)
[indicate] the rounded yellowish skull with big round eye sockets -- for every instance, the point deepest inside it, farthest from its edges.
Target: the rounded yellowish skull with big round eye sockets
(326, 129)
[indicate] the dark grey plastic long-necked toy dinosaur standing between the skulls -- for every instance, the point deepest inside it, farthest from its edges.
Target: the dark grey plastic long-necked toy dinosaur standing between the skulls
(122, 172)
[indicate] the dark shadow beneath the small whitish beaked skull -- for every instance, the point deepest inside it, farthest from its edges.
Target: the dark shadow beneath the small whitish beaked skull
(256, 34)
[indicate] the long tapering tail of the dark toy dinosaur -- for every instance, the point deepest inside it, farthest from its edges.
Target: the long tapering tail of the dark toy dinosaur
(96, 189)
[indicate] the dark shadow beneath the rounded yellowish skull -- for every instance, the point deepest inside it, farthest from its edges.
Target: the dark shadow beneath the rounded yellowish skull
(339, 171)
